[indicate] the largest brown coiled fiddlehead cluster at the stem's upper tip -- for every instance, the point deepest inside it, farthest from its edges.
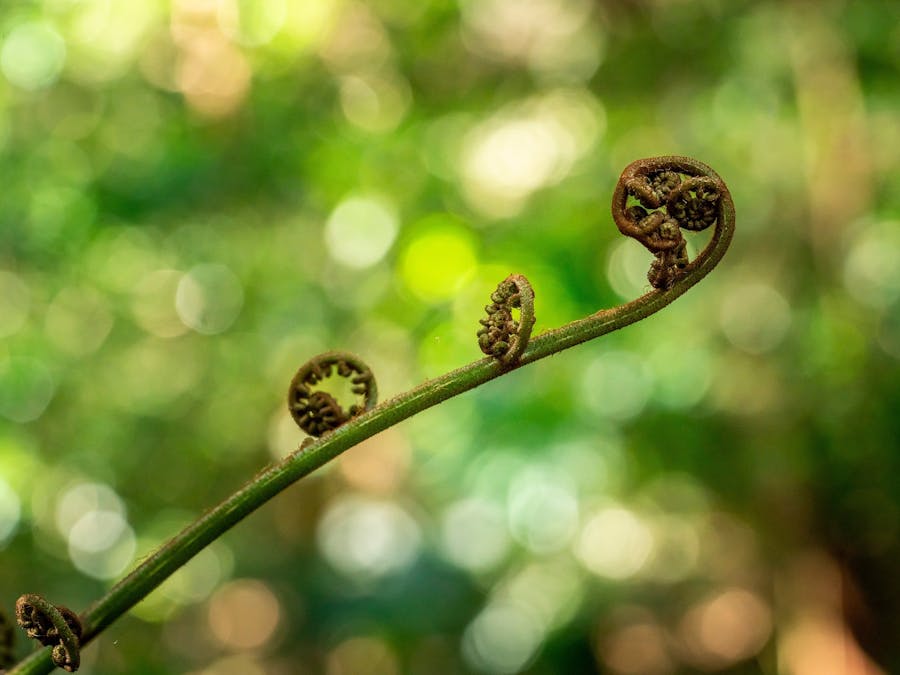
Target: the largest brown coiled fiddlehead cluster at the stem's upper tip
(656, 198)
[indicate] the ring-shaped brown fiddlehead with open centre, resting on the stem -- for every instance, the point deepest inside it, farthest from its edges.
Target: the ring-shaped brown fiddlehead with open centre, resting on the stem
(316, 411)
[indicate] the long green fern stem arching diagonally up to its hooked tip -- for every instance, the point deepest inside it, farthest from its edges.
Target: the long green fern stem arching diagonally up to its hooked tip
(154, 570)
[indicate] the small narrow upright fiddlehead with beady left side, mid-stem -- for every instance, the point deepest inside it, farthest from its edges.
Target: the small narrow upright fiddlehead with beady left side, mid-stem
(501, 335)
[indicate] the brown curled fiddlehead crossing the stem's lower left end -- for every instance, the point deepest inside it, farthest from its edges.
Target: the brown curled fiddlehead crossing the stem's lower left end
(52, 626)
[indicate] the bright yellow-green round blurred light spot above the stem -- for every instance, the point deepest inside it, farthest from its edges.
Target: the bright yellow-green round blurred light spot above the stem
(438, 257)
